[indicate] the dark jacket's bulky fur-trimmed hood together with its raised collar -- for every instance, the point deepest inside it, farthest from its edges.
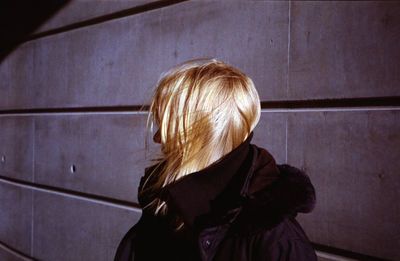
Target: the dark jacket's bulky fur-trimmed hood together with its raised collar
(246, 181)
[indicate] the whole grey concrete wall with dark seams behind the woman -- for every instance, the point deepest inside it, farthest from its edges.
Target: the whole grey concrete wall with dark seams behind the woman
(68, 176)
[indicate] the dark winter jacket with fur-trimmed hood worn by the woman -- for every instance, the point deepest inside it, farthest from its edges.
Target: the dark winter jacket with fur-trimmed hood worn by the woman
(241, 208)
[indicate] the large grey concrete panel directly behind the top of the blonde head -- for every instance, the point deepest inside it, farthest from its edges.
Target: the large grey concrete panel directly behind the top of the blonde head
(118, 62)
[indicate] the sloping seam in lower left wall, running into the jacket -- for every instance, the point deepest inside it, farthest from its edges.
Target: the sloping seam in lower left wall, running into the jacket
(73, 194)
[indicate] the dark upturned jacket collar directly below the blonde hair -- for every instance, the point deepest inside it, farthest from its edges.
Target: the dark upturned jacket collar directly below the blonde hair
(221, 184)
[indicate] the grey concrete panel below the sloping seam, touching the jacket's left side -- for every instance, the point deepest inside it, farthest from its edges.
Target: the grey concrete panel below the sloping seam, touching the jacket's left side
(74, 229)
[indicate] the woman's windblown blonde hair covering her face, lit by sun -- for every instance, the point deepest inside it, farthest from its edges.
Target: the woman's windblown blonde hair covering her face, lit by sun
(204, 109)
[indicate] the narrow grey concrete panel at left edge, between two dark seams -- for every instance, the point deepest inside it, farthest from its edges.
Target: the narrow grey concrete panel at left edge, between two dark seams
(16, 147)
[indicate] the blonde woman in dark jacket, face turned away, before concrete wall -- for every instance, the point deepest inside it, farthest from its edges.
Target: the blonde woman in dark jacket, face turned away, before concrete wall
(213, 195)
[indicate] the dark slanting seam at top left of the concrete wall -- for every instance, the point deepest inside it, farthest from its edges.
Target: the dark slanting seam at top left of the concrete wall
(104, 18)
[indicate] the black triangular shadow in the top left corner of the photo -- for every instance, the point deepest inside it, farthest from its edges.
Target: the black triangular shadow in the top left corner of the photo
(20, 18)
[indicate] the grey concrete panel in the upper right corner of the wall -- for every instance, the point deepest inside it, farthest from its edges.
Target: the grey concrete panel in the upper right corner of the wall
(344, 49)
